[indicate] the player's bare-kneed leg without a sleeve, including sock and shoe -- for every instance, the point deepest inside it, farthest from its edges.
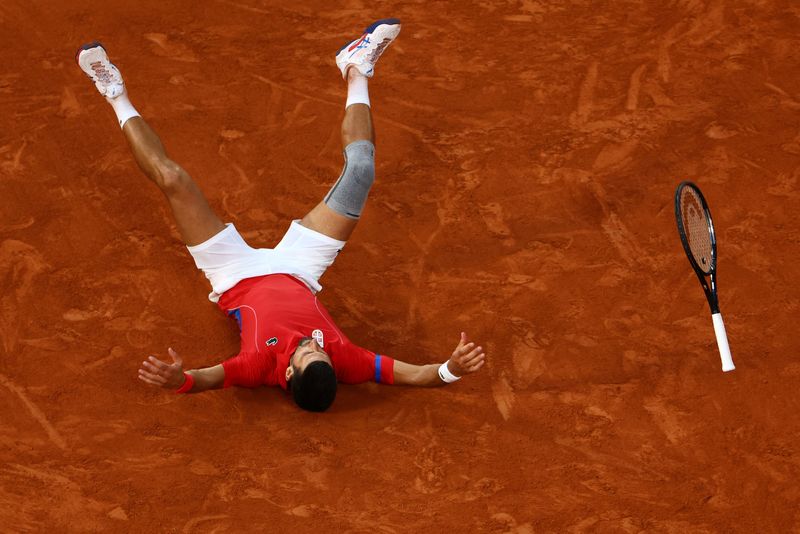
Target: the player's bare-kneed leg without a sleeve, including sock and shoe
(195, 219)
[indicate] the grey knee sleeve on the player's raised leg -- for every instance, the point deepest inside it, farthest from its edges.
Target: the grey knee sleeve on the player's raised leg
(349, 194)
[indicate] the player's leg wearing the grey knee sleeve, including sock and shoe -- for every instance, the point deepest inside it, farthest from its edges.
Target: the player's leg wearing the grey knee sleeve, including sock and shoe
(337, 215)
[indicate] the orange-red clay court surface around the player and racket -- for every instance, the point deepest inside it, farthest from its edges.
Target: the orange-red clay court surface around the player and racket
(527, 156)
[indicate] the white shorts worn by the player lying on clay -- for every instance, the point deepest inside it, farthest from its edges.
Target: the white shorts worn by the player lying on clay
(226, 259)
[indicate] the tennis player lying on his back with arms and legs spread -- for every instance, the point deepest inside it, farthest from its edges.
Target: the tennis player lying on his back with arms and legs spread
(287, 337)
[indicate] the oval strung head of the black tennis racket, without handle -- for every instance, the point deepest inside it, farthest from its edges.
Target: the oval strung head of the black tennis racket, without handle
(696, 228)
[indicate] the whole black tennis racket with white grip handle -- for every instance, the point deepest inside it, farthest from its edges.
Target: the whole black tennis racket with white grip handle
(700, 243)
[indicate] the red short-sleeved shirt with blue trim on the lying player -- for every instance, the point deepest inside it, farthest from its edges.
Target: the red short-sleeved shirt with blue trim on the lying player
(274, 313)
